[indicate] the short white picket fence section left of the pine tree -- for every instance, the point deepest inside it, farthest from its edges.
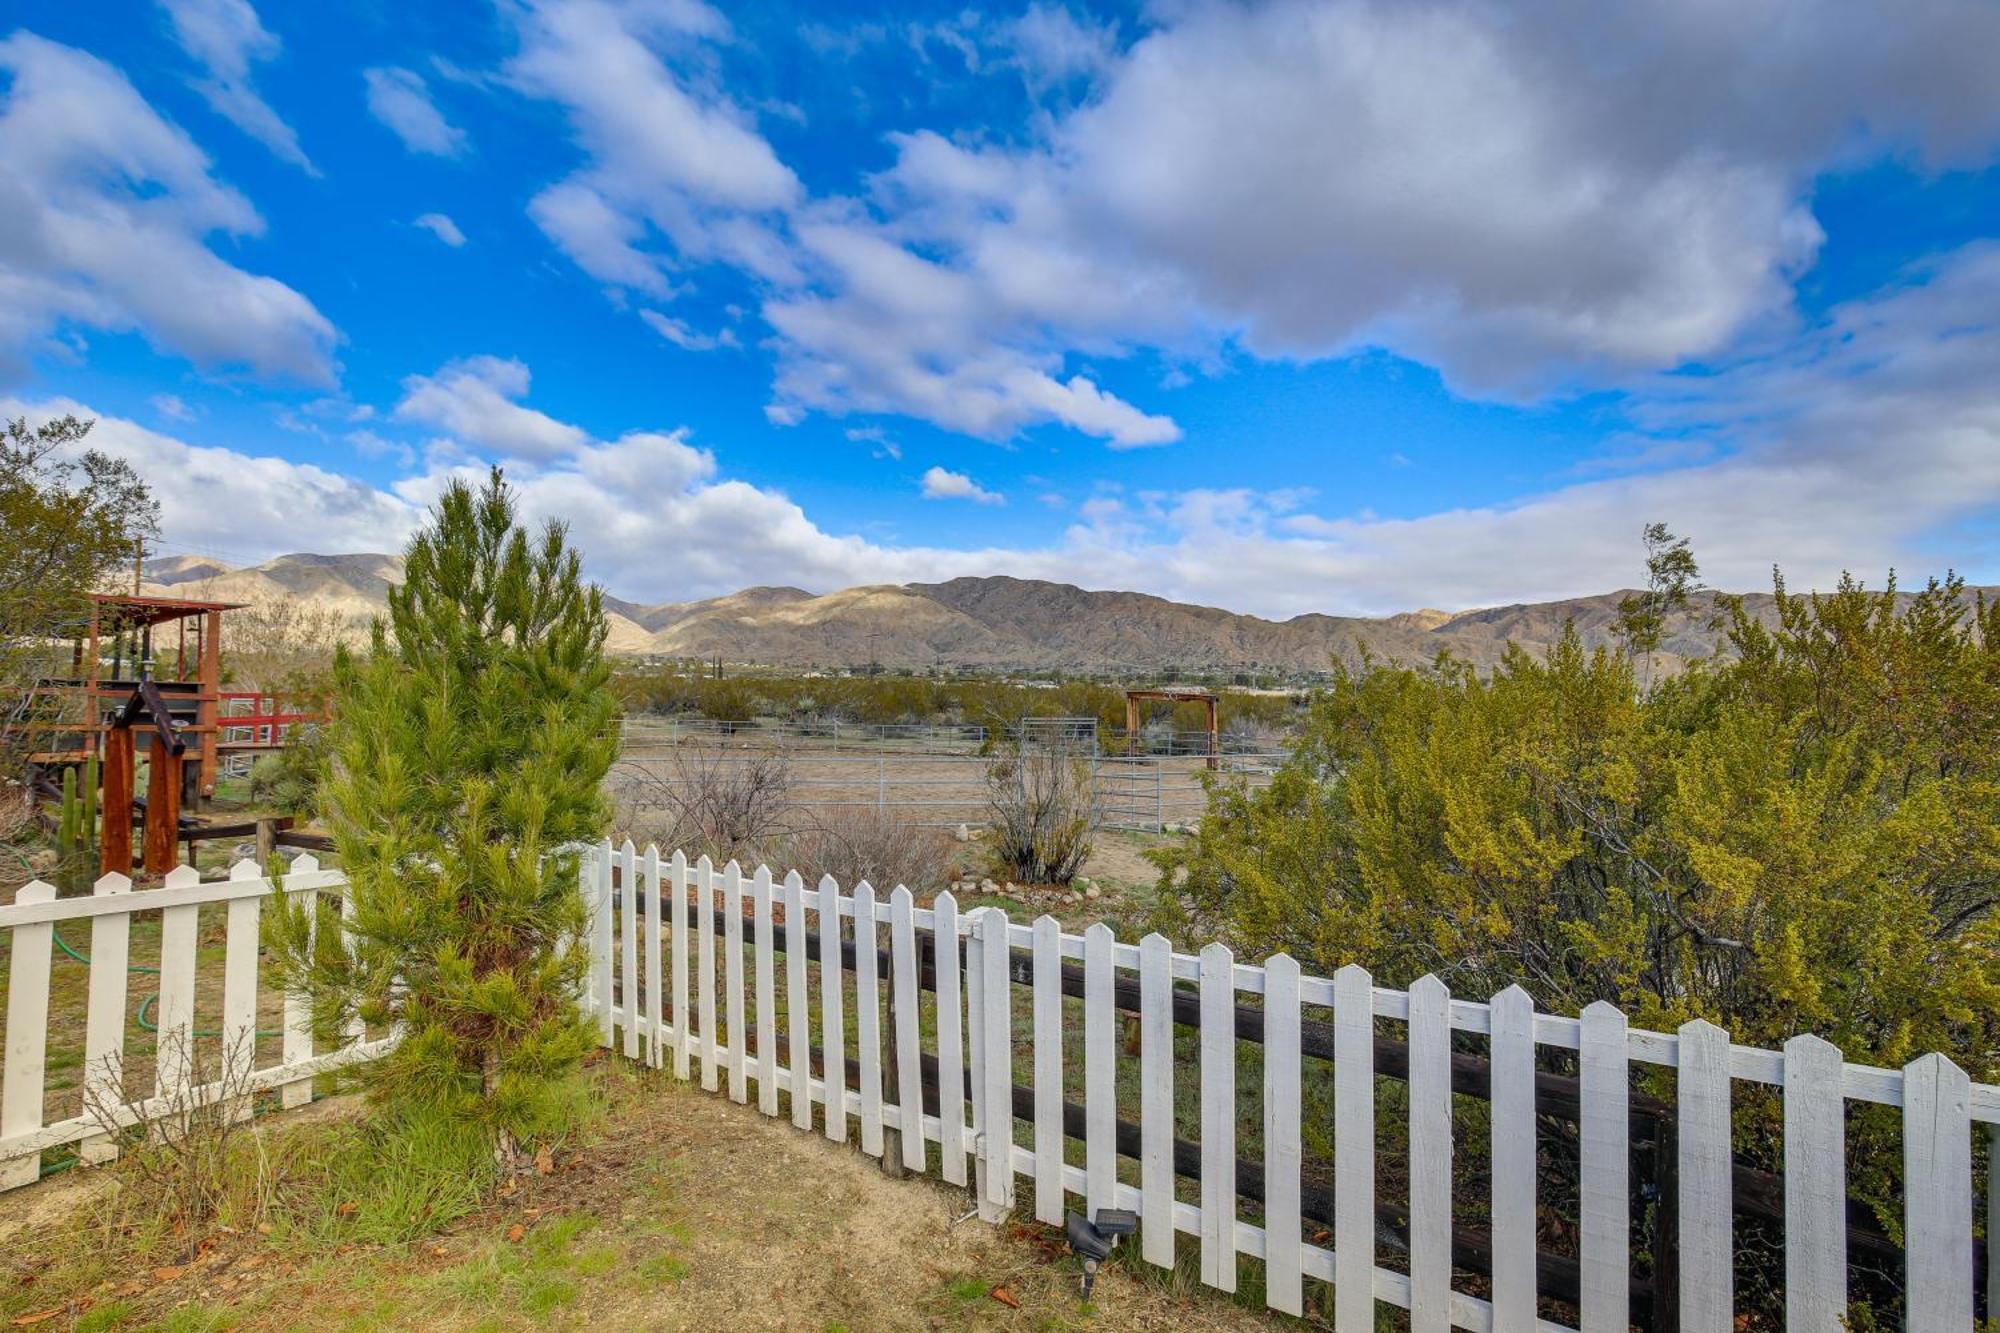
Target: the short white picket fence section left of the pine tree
(33, 922)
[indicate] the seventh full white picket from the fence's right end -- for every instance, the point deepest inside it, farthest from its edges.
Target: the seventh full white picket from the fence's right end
(1353, 1150)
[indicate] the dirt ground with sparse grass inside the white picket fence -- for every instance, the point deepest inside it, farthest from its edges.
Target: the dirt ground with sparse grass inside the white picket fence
(687, 1214)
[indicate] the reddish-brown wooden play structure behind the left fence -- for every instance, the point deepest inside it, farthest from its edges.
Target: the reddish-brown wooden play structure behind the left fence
(159, 698)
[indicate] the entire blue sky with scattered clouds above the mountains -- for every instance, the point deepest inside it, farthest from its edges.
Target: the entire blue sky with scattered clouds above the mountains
(1283, 307)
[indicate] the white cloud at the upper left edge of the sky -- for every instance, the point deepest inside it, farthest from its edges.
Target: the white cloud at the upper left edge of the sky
(107, 213)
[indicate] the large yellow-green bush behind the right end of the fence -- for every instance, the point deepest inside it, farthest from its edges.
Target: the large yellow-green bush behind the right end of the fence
(1801, 836)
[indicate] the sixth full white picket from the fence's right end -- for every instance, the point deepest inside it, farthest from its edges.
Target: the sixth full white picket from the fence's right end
(1431, 1156)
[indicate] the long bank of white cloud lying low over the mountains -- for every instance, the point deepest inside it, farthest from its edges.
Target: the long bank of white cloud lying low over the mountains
(1851, 447)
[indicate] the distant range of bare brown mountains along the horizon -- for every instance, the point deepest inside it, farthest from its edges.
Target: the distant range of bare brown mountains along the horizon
(987, 623)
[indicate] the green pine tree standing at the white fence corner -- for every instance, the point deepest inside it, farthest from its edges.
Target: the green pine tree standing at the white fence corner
(469, 754)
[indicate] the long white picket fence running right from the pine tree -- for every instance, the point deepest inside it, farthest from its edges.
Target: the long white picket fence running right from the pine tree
(653, 994)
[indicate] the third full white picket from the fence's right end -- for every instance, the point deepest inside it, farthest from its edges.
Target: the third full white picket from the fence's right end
(1705, 1170)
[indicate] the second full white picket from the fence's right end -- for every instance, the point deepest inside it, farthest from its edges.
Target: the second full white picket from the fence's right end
(1815, 1190)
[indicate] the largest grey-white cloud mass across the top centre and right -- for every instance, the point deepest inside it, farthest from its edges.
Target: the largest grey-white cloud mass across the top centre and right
(1523, 197)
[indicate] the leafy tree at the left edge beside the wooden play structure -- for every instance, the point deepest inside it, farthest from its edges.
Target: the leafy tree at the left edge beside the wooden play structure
(67, 523)
